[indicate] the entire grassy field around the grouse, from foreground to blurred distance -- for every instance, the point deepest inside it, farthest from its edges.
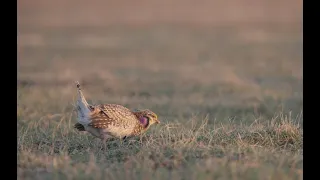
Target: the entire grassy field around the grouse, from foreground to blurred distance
(225, 79)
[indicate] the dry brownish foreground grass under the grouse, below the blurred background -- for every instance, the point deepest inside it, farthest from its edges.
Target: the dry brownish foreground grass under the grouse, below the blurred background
(191, 150)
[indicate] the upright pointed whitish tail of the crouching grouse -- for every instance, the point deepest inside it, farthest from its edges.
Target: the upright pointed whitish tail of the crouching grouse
(83, 108)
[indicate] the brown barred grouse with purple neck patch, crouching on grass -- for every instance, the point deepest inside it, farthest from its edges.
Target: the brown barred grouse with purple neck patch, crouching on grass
(107, 120)
